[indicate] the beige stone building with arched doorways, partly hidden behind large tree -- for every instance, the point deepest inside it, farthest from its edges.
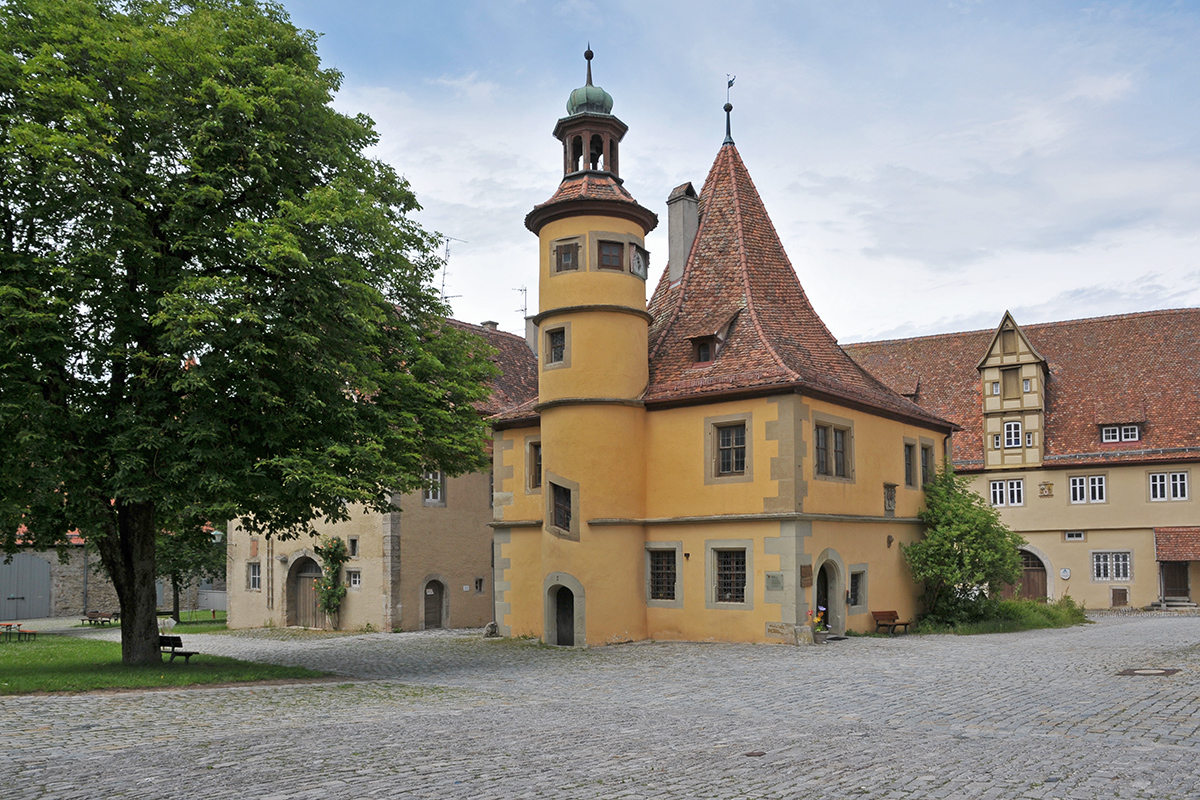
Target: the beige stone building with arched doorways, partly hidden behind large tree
(427, 566)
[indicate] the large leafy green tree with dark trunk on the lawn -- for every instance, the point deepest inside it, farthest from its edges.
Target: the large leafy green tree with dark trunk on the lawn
(213, 304)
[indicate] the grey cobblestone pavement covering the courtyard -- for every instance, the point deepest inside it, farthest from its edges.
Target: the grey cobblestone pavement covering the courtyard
(1042, 714)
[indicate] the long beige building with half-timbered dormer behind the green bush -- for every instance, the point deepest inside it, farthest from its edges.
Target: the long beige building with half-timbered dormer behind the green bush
(1085, 435)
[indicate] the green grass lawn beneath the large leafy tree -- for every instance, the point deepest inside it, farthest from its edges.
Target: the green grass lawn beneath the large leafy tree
(74, 664)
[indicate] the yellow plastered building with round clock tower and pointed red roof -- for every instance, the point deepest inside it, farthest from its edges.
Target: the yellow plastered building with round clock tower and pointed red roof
(705, 466)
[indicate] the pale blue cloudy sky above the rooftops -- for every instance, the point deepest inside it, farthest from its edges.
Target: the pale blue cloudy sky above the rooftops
(927, 165)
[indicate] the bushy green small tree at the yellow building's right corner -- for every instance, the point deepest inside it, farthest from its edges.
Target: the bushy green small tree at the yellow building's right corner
(967, 555)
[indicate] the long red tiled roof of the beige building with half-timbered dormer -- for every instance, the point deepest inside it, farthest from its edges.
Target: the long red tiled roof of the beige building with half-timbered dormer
(1107, 370)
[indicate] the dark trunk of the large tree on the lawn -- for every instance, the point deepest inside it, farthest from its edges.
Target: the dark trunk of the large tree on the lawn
(128, 551)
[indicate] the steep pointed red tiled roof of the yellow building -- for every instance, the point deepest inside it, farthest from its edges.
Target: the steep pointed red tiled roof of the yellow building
(739, 270)
